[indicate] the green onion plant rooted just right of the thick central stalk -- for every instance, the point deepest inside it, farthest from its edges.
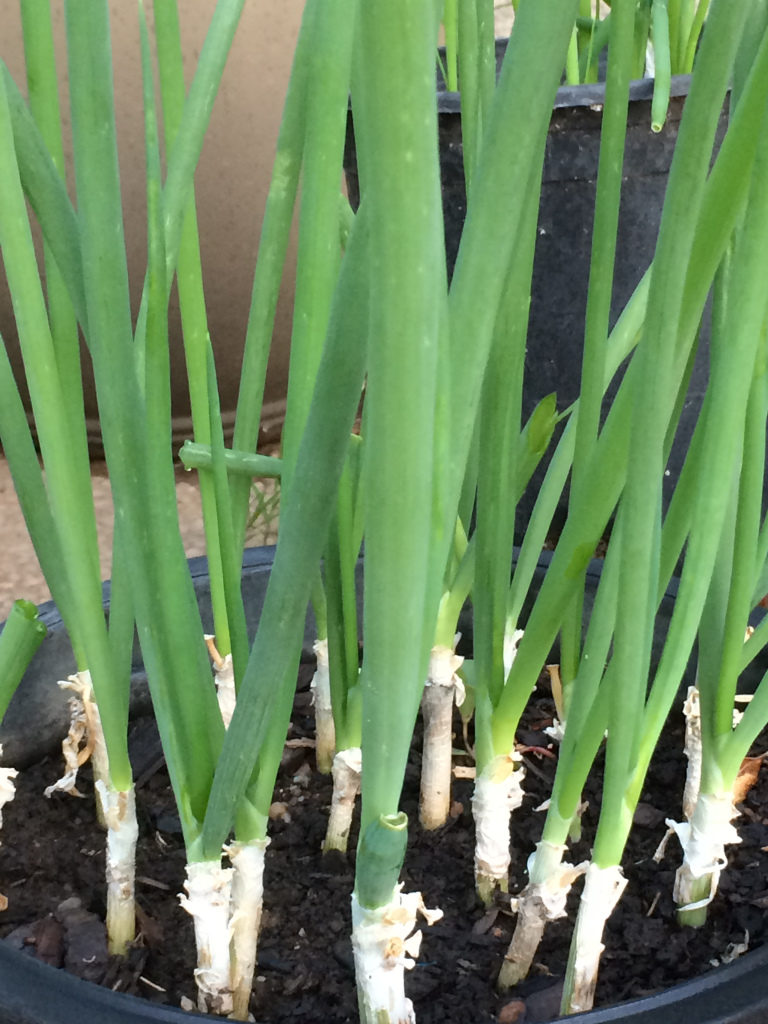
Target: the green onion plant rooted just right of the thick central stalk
(501, 694)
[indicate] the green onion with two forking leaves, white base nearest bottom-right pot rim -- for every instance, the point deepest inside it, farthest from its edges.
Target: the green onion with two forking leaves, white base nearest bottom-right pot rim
(634, 721)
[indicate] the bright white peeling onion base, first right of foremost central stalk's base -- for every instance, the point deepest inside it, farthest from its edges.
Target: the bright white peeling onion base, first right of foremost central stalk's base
(498, 793)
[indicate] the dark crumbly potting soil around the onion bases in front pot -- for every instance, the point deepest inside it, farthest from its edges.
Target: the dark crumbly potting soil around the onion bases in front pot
(53, 854)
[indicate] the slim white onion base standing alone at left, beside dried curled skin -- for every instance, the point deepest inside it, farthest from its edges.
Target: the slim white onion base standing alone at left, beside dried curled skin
(122, 833)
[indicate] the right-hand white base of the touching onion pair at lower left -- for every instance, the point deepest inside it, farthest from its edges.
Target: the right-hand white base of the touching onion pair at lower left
(247, 900)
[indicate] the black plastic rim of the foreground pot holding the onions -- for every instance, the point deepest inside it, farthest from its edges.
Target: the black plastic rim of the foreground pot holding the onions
(32, 993)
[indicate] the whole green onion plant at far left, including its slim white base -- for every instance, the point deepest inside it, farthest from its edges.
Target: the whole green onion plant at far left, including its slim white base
(60, 509)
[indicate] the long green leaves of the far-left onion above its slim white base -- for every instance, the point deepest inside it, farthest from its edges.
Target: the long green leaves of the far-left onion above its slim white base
(51, 347)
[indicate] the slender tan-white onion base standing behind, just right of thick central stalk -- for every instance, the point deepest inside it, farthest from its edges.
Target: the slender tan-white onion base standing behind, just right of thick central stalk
(443, 687)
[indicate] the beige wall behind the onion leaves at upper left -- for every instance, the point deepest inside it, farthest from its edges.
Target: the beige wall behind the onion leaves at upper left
(233, 178)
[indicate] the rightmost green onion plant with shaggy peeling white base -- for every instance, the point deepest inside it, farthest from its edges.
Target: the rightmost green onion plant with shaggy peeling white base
(718, 736)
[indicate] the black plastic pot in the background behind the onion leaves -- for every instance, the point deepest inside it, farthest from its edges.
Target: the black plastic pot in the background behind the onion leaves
(559, 300)
